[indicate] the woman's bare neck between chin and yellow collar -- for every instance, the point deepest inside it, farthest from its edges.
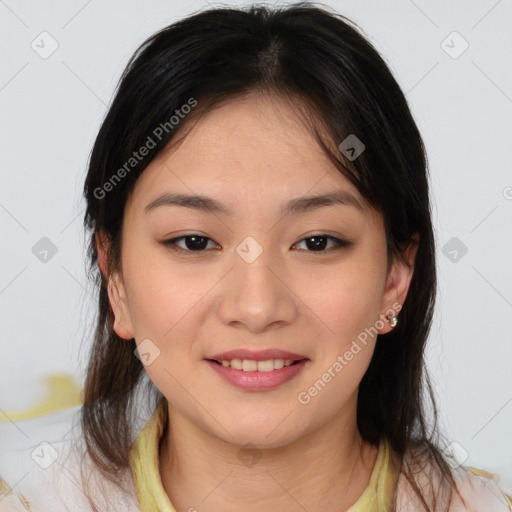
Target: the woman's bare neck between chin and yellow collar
(327, 469)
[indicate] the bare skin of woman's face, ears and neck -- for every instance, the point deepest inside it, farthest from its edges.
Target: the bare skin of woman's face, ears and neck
(254, 154)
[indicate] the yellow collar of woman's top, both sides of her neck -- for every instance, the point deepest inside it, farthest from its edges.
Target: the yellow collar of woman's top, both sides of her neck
(144, 461)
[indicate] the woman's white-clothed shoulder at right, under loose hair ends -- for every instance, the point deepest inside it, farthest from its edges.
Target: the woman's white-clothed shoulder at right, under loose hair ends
(480, 491)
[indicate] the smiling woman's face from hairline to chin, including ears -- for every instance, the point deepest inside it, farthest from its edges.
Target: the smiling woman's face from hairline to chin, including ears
(253, 279)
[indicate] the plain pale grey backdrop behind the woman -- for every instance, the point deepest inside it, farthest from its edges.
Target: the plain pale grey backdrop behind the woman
(51, 110)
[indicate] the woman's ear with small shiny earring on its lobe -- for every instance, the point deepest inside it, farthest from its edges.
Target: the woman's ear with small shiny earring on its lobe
(398, 282)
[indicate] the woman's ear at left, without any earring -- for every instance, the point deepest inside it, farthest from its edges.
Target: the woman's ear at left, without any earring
(116, 290)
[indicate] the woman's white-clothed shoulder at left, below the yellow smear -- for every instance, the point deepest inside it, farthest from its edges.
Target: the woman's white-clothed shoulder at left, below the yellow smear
(43, 460)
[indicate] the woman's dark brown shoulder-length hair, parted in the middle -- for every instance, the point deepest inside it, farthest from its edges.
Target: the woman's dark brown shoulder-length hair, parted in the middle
(331, 73)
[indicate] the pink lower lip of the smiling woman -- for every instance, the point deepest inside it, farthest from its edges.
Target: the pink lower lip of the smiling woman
(258, 381)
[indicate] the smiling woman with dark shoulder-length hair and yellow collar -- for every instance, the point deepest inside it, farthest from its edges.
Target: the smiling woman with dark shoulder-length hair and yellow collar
(260, 231)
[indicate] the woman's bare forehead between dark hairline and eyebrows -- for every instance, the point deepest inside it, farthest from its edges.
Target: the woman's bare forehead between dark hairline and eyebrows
(250, 149)
